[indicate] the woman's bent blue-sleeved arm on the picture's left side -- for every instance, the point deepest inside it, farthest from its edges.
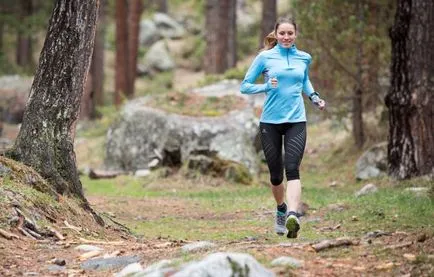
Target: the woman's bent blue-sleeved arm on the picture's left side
(248, 85)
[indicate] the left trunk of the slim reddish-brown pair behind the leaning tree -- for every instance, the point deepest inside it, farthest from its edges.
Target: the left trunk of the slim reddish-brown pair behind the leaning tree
(121, 74)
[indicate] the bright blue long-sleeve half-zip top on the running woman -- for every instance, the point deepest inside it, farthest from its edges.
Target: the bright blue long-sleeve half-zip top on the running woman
(291, 68)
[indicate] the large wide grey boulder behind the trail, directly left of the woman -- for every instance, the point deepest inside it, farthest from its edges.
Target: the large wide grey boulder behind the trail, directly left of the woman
(143, 135)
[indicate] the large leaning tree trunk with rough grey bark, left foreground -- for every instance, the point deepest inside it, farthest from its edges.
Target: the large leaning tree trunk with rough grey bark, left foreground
(46, 138)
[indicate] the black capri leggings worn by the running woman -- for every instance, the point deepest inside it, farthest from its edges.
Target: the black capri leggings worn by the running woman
(294, 143)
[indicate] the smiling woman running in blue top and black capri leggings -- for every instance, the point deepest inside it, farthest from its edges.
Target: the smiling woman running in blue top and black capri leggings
(286, 76)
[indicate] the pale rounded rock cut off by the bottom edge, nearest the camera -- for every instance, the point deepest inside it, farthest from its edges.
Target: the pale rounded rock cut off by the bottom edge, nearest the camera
(225, 265)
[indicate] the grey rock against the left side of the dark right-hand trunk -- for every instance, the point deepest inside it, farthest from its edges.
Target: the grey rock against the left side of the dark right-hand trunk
(373, 163)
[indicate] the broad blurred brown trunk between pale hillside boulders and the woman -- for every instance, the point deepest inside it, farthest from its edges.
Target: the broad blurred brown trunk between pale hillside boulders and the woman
(217, 24)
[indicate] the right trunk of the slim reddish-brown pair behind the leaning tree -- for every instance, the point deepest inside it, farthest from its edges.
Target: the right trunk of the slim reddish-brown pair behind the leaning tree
(135, 11)
